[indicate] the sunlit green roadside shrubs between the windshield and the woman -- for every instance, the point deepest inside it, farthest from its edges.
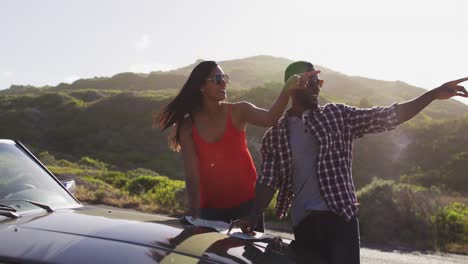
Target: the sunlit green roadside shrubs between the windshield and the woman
(139, 189)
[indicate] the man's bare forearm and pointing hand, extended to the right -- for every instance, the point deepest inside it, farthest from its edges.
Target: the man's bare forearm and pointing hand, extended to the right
(407, 110)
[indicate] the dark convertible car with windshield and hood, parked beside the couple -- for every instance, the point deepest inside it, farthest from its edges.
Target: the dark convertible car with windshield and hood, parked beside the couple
(42, 222)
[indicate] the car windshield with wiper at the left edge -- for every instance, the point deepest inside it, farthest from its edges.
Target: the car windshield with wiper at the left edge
(21, 178)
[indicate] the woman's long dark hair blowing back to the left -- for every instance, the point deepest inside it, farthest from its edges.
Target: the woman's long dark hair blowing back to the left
(188, 101)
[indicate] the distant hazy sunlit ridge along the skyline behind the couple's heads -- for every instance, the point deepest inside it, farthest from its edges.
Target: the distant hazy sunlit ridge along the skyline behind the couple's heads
(255, 71)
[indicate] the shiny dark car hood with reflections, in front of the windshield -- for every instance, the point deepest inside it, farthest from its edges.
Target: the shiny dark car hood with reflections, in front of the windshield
(109, 236)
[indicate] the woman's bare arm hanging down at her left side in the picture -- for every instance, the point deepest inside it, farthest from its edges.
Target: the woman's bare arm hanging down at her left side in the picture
(190, 158)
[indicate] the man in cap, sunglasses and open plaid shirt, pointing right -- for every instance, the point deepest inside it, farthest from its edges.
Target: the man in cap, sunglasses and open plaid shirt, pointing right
(307, 157)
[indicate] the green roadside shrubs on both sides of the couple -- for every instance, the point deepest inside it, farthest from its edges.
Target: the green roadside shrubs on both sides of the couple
(391, 214)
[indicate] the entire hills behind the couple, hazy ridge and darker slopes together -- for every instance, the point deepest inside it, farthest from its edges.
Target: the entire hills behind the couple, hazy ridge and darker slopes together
(113, 123)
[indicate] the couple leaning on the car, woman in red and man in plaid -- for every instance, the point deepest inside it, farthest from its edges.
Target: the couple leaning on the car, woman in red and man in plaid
(307, 155)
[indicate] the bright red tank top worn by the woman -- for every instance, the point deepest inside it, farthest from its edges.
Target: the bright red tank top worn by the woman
(226, 169)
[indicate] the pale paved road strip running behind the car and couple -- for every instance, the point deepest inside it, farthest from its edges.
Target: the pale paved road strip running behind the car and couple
(368, 256)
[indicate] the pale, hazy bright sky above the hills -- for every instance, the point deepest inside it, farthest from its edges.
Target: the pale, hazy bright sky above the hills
(423, 43)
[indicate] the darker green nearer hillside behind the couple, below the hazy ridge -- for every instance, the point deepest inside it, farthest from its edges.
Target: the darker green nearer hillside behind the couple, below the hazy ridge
(115, 127)
